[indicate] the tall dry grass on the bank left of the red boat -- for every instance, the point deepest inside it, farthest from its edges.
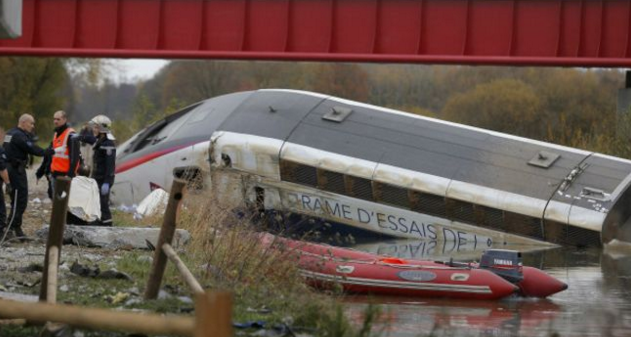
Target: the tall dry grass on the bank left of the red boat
(266, 284)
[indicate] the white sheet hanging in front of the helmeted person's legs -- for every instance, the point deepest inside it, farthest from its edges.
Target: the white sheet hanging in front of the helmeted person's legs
(84, 201)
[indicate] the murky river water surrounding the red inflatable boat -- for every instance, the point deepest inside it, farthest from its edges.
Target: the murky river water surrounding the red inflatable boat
(597, 303)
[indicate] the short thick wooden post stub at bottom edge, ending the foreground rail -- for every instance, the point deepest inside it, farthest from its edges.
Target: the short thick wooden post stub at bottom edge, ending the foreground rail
(213, 314)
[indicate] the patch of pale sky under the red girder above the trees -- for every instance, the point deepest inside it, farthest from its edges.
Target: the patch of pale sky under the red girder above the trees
(134, 70)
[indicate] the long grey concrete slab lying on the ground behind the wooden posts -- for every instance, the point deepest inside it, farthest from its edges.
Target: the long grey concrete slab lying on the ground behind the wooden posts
(114, 237)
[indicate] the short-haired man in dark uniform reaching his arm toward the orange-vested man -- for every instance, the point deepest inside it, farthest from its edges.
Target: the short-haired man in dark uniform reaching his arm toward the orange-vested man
(18, 144)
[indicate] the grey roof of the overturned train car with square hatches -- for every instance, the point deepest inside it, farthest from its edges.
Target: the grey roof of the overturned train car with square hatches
(435, 147)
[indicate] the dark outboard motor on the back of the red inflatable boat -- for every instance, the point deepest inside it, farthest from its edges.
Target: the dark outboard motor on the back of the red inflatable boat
(503, 262)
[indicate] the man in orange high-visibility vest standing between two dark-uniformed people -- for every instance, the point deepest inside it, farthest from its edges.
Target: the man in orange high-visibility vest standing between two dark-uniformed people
(65, 160)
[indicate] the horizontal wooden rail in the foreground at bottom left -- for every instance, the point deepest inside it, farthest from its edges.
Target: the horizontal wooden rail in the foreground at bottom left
(98, 319)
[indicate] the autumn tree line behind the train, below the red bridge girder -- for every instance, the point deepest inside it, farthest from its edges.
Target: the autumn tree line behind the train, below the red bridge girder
(573, 107)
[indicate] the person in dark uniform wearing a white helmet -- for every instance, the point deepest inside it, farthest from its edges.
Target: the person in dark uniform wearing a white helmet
(104, 161)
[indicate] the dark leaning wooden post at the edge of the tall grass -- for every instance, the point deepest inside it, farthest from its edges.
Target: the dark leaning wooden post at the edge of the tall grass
(166, 236)
